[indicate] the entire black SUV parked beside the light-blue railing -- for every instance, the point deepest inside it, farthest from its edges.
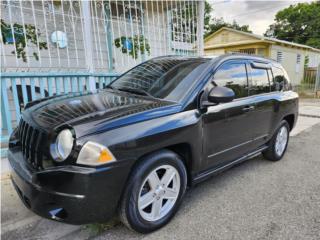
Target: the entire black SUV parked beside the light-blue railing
(134, 147)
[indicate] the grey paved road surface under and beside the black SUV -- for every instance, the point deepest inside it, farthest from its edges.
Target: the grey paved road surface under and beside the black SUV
(255, 200)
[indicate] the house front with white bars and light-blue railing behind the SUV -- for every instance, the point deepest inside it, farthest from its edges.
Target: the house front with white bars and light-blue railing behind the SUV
(57, 47)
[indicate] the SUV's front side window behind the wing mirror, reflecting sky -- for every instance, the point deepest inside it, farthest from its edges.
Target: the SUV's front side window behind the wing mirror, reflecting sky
(234, 76)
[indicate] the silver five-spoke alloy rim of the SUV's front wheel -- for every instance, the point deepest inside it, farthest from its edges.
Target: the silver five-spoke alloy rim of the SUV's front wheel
(158, 193)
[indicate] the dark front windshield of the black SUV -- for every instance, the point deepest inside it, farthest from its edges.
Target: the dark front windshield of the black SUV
(165, 78)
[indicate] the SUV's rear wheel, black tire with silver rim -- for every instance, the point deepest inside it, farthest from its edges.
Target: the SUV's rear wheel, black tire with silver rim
(278, 143)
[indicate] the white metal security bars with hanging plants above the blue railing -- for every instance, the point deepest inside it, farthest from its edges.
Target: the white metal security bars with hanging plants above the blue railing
(100, 36)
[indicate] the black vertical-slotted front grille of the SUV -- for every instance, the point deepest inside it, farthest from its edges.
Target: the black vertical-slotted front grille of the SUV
(31, 140)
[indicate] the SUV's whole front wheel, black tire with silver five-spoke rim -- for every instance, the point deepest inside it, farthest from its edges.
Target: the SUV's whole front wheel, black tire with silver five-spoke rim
(154, 192)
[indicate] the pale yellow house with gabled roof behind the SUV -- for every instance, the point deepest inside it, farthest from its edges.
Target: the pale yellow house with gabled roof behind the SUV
(294, 57)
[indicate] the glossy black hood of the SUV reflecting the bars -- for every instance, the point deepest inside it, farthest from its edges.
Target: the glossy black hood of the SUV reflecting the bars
(92, 112)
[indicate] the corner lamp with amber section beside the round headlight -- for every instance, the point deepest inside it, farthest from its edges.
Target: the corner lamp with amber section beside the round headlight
(94, 154)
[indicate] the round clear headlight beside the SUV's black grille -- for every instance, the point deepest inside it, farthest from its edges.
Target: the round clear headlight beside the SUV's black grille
(63, 146)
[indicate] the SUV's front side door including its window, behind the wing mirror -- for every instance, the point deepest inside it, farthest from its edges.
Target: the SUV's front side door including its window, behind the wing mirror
(227, 126)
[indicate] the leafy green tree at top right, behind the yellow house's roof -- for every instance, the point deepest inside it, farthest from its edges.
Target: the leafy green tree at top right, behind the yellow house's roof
(298, 23)
